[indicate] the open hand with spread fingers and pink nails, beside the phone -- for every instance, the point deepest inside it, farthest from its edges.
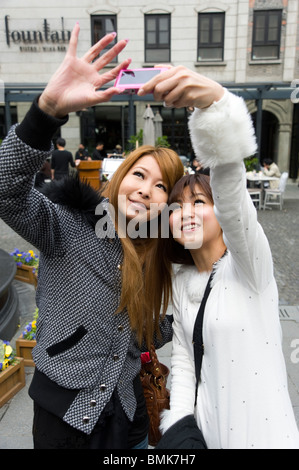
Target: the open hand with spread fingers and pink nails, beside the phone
(76, 83)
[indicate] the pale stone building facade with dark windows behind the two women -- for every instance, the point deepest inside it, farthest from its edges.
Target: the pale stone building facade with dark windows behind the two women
(250, 46)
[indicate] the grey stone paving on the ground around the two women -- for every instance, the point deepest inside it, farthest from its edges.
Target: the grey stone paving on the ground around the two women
(281, 228)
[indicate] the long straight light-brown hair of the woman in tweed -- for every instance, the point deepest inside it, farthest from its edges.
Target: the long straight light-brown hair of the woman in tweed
(146, 271)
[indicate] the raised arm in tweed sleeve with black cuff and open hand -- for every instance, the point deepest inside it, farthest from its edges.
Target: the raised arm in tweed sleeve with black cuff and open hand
(75, 85)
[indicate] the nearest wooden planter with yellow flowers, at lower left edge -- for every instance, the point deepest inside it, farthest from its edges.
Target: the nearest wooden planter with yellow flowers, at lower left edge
(12, 373)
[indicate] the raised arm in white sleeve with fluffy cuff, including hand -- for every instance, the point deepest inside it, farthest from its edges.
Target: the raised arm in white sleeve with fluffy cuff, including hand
(222, 136)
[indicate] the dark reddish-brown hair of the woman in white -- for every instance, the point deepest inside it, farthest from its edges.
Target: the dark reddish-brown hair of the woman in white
(176, 252)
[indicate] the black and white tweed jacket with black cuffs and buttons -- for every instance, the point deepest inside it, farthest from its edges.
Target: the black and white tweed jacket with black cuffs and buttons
(84, 350)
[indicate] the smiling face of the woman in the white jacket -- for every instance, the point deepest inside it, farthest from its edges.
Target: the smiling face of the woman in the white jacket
(193, 222)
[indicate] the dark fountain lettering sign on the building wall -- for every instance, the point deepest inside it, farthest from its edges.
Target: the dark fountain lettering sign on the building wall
(41, 40)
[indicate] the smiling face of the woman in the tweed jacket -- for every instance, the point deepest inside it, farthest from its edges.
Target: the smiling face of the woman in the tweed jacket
(141, 188)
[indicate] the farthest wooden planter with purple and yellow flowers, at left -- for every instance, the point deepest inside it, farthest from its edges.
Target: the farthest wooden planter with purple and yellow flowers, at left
(27, 266)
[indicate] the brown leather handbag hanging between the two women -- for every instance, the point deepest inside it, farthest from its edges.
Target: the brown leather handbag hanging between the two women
(153, 377)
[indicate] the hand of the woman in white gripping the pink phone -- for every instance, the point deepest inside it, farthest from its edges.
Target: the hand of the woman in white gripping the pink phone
(180, 87)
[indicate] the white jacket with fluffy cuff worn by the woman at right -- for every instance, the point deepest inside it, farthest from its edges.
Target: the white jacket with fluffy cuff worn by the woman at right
(243, 400)
